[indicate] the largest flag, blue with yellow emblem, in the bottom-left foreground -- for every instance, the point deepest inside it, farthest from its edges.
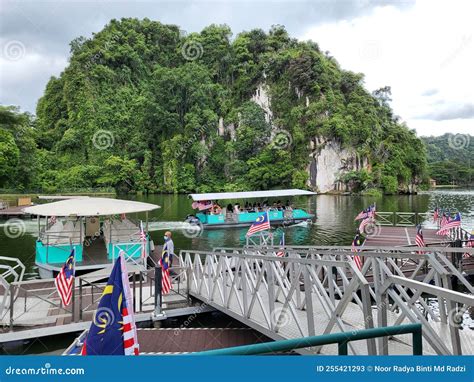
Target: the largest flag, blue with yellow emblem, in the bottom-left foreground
(111, 331)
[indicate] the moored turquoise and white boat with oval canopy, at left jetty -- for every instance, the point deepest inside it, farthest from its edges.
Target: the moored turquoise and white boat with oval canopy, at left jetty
(98, 229)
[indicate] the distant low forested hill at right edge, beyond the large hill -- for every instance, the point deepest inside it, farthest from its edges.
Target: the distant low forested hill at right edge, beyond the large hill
(451, 159)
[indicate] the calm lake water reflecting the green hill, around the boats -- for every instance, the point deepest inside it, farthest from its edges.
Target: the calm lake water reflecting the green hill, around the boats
(334, 224)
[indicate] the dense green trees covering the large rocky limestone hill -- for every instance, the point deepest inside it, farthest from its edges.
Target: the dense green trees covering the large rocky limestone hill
(140, 105)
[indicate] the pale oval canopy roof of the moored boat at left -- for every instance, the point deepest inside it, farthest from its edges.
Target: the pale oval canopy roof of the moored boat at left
(89, 207)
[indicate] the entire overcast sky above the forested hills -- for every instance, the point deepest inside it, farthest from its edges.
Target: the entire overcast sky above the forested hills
(424, 50)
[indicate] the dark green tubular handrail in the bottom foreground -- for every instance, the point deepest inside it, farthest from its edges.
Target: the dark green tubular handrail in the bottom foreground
(342, 339)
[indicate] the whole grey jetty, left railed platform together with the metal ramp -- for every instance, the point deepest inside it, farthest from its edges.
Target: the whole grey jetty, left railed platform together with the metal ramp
(311, 291)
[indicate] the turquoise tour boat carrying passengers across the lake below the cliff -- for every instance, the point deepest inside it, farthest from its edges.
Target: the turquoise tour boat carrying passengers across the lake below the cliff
(241, 213)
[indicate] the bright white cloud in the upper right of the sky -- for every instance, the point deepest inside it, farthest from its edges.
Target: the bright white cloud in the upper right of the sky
(416, 50)
